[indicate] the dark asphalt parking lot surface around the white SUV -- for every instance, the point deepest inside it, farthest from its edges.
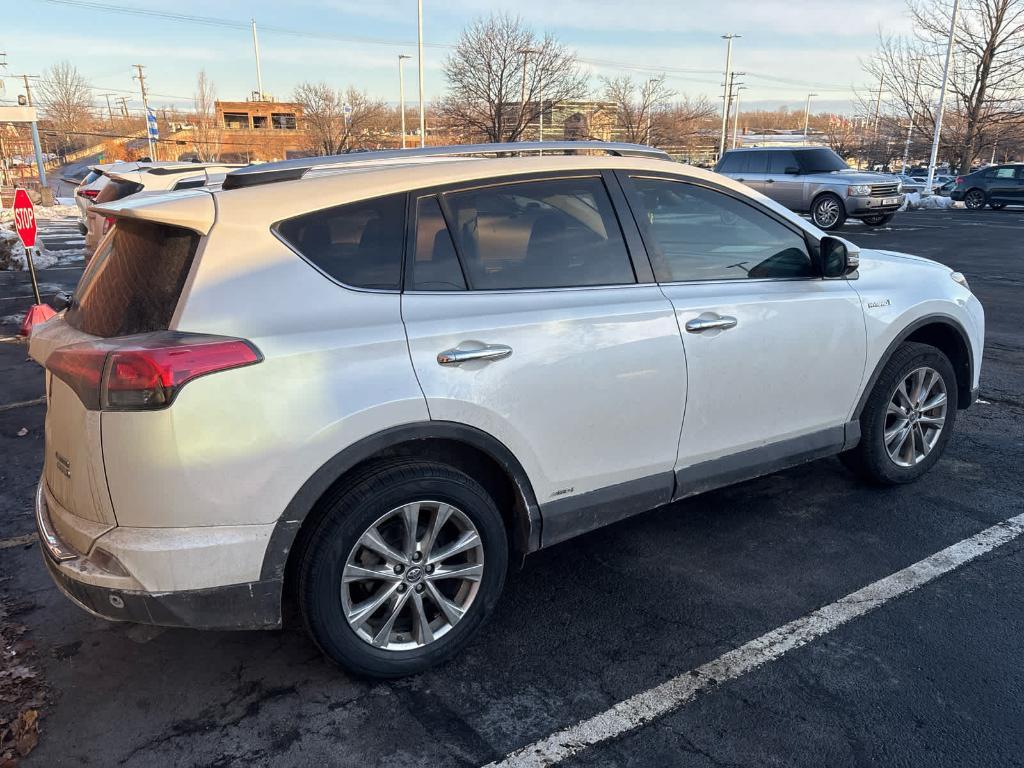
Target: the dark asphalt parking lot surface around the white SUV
(930, 677)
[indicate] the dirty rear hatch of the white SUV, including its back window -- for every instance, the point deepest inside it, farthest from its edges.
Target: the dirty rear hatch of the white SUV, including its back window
(133, 286)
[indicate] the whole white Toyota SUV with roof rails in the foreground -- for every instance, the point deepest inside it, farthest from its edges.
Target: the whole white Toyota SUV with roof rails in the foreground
(369, 386)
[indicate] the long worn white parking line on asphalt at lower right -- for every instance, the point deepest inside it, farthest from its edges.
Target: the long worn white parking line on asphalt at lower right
(647, 706)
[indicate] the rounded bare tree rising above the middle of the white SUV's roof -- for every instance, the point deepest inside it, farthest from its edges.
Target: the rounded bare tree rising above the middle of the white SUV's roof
(501, 74)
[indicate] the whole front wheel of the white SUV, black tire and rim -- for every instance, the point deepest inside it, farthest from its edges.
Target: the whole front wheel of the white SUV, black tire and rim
(909, 417)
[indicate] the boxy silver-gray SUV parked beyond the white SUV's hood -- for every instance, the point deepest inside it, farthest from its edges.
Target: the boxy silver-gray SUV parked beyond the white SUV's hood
(816, 181)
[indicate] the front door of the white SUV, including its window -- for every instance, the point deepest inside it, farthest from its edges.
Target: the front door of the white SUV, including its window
(774, 353)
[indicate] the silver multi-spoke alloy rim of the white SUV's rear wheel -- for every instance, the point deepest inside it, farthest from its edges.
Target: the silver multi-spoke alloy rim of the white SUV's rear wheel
(412, 576)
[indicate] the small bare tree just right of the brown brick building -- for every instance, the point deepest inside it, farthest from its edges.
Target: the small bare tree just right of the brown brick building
(338, 122)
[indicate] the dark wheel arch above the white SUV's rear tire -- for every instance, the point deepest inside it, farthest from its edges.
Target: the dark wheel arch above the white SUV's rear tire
(466, 448)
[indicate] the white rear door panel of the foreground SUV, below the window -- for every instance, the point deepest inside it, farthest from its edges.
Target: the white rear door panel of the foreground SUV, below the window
(590, 397)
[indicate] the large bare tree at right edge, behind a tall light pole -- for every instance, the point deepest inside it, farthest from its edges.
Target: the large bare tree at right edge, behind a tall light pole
(986, 90)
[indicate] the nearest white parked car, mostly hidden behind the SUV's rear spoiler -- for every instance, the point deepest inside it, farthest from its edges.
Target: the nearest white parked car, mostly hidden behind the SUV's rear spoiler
(123, 183)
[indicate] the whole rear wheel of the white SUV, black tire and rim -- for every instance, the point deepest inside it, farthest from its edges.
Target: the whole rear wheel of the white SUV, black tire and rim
(405, 566)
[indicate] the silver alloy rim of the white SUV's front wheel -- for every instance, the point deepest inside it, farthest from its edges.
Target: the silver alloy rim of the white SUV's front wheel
(916, 417)
